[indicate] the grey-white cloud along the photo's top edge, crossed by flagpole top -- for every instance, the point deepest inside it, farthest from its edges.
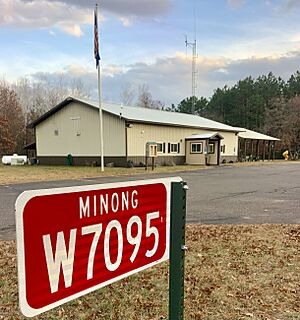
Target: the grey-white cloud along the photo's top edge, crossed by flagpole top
(69, 15)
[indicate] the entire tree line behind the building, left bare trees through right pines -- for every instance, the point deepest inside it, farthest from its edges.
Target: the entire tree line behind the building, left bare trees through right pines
(267, 104)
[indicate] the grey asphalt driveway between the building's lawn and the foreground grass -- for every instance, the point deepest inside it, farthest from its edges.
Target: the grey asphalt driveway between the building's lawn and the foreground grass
(220, 195)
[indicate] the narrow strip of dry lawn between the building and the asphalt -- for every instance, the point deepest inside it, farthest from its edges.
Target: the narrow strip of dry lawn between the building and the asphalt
(21, 174)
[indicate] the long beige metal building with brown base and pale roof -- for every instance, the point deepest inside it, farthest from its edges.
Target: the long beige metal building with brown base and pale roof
(72, 128)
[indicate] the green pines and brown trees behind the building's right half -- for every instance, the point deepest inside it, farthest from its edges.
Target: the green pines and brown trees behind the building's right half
(267, 104)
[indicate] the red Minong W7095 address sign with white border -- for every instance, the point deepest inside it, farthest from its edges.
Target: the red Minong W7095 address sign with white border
(74, 240)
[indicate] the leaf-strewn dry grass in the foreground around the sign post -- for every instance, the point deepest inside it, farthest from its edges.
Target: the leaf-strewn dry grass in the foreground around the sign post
(232, 272)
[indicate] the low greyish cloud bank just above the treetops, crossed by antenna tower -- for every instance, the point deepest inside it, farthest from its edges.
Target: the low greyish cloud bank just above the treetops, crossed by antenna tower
(169, 78)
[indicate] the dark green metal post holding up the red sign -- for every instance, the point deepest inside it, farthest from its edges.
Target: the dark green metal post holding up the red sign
(177, 250)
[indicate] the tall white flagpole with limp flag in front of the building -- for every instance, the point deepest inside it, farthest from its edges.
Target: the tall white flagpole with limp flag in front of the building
(99, 95)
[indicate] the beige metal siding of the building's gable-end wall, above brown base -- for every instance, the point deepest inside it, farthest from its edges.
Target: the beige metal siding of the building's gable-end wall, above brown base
(75, 130)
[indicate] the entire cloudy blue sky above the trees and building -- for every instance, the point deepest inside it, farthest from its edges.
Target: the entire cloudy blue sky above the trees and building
(142, 43)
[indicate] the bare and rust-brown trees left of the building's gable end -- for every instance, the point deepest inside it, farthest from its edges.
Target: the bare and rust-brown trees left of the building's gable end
(24, 101)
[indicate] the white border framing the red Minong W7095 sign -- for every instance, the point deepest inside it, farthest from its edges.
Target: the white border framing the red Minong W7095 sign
(20, 204)
